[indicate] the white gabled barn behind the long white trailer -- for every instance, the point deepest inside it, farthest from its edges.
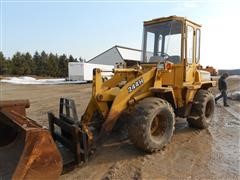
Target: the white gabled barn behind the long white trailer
(117, 55)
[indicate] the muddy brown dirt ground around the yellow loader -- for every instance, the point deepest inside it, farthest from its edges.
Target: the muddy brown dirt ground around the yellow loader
(192, 154)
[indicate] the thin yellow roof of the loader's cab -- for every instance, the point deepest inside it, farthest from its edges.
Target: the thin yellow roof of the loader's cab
(169, 18)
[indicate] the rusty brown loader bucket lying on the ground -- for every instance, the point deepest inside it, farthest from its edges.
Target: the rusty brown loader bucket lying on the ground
(27, 151)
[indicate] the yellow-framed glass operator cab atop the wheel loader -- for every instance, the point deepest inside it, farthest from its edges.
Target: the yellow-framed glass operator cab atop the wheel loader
(173, 39)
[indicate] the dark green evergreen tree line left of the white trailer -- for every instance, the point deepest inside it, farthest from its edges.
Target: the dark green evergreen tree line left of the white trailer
(40, 64)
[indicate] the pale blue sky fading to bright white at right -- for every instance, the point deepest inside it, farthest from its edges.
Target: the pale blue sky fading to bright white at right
(87, 28)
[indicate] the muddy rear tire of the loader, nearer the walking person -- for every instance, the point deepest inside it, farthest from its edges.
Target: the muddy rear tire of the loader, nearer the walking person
(202, 110)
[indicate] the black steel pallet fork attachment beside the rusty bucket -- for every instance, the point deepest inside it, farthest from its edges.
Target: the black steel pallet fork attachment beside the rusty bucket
(66, 130)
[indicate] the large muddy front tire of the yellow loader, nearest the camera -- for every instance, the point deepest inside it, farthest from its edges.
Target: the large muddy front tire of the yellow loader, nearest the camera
(151, 124)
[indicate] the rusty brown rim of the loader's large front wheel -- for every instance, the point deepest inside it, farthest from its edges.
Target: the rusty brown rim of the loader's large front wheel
(158, 126)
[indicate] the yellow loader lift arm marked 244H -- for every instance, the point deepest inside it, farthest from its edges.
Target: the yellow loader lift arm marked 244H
(136, 86)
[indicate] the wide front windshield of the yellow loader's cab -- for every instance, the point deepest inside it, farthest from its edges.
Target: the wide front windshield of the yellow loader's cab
(162, 41)
